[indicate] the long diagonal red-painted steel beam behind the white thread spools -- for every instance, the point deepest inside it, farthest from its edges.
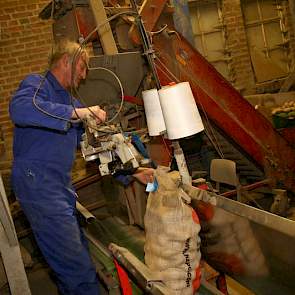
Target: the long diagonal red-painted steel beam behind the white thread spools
(226, 107)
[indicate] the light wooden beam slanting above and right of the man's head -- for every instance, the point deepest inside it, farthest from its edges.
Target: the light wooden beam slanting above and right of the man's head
(105, 33)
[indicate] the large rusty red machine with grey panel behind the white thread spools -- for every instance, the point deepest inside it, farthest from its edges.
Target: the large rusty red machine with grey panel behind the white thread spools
(262, 150)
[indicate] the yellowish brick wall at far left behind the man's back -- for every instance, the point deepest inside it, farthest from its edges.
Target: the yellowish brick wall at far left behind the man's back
(25, 42)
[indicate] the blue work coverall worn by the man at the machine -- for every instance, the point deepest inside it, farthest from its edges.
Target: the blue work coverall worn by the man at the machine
(44, 151)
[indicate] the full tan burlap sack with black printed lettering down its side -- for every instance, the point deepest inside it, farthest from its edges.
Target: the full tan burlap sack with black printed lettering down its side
(172, 248)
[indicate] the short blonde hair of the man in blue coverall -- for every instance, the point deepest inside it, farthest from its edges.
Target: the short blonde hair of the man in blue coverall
(72, 49)
